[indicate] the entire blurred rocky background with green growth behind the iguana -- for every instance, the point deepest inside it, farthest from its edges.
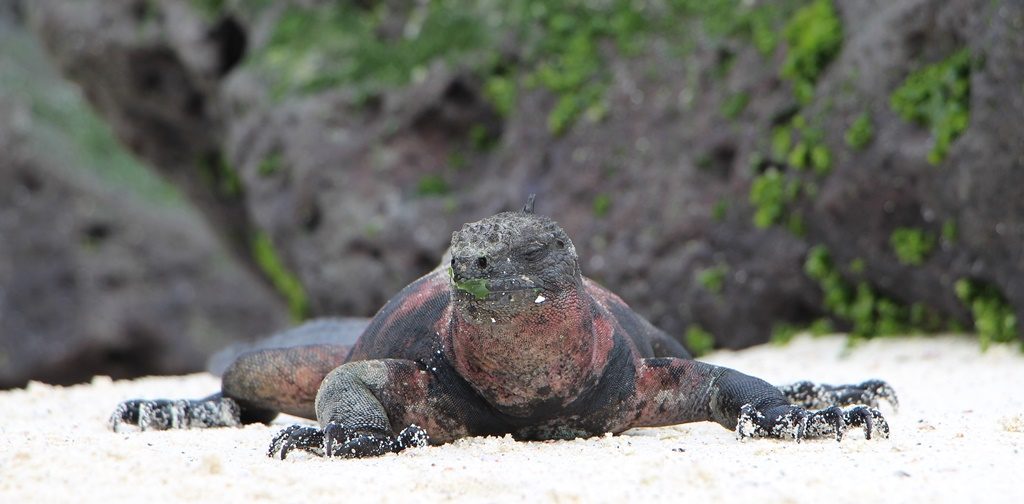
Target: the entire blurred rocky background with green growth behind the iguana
(181, 175)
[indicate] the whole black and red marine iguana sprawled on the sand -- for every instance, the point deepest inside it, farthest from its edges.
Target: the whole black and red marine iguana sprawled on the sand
(506, 337)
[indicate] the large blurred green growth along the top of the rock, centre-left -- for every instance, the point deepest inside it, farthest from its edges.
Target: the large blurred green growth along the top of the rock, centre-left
(327, 47)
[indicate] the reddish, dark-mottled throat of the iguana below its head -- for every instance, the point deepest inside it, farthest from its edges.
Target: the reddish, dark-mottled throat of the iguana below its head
(549, 354)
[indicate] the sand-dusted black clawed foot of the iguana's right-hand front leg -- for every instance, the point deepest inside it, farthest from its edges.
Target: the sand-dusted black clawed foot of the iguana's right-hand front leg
(791, 423)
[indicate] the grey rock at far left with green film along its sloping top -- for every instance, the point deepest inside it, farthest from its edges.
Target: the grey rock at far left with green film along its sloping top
(102, 272)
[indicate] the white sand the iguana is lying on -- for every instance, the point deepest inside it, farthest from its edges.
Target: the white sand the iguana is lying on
(958, 438)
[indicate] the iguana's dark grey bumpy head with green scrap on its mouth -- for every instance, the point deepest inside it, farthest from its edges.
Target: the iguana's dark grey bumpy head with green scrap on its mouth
(509, 265)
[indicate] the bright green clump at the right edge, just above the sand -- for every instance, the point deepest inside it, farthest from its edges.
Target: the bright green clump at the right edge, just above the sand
(994, 318)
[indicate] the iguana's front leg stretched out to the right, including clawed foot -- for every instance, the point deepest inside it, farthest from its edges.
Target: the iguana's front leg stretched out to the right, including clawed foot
(677, 391)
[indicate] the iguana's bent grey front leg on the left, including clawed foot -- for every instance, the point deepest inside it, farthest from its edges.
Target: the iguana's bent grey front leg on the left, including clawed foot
(362, 406)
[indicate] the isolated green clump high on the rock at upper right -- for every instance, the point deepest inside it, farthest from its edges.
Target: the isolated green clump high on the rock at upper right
(938, 98)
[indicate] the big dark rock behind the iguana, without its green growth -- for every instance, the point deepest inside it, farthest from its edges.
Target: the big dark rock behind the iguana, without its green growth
(338, 181)
